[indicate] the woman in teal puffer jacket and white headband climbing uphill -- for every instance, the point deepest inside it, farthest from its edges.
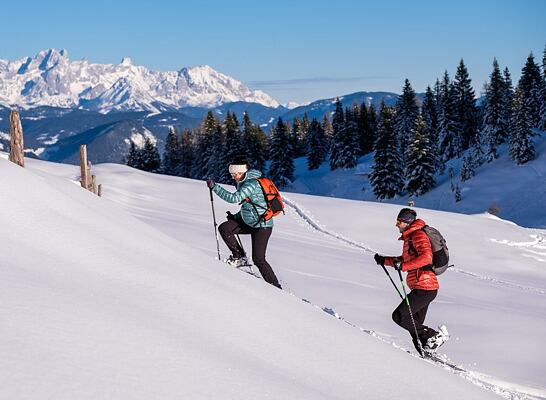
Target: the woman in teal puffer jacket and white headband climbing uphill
(248, 220)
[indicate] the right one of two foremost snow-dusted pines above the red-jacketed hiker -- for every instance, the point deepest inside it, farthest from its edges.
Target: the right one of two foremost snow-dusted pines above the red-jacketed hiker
(420, 160)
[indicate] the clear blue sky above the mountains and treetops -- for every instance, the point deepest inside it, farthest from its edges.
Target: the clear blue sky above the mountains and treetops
(293, 50)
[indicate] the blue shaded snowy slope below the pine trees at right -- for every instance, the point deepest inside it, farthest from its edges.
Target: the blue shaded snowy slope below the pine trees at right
(517, 193)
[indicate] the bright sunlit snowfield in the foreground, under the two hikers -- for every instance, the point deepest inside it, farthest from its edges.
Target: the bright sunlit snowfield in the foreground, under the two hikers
(121, 297)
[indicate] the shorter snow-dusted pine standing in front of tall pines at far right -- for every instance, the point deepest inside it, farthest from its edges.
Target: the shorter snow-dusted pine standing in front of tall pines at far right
(521, 146)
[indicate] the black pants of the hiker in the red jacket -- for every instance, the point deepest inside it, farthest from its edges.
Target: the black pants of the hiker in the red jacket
(419, 301)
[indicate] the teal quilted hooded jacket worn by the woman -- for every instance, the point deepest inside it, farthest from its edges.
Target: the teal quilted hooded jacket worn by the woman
(249, 187)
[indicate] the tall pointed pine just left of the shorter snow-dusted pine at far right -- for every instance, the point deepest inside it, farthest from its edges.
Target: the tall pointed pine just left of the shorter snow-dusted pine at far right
(494, 129)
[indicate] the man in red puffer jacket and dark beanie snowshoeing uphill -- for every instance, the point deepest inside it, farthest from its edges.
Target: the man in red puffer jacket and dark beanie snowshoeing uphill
(416, 257)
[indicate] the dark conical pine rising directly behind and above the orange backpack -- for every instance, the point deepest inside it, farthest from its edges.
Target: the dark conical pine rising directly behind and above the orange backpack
(281, 170)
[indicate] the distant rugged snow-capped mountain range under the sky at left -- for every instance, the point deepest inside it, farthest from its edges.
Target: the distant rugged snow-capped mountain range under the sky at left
(50, 78)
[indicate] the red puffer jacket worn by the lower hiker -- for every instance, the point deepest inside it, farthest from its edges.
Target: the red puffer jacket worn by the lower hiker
(412, 261)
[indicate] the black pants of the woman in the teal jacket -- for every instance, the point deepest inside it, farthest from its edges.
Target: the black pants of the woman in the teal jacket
(259, 237)
